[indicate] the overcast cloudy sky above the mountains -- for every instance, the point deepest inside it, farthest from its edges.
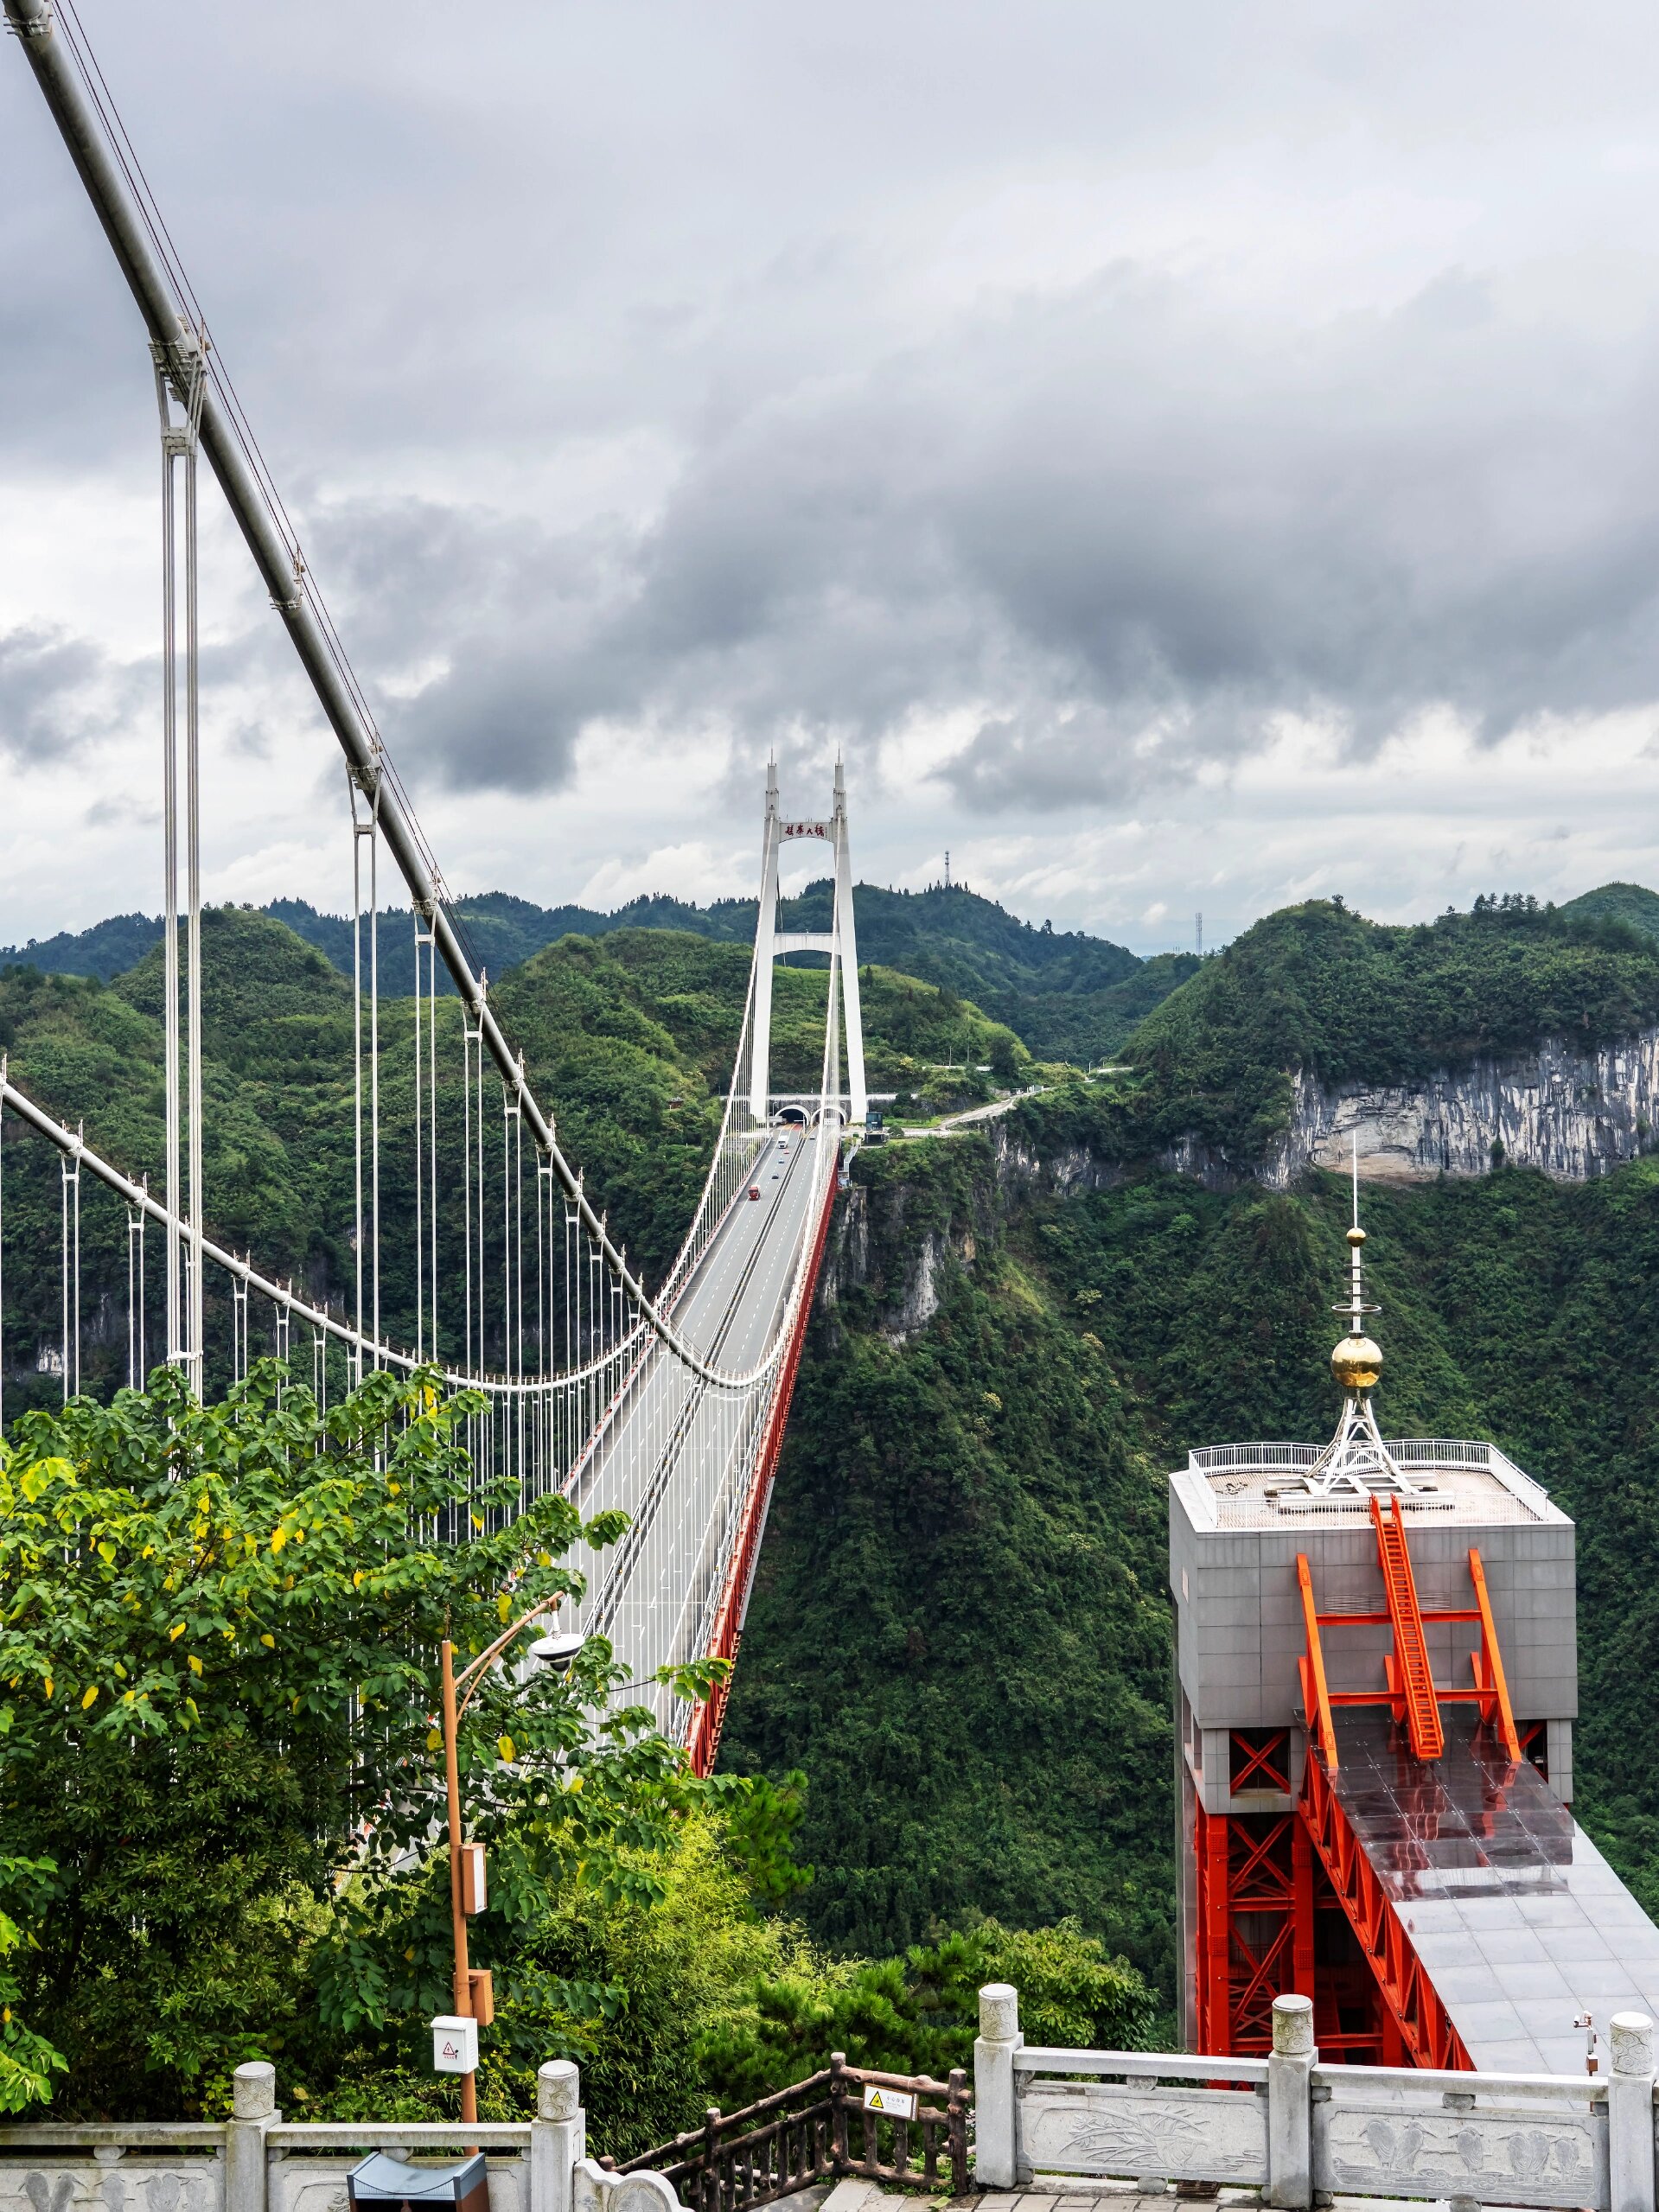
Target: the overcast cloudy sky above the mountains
(1185, 459)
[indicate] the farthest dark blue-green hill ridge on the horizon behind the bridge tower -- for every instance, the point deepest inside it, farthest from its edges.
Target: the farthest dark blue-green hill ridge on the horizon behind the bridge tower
(1065, 994)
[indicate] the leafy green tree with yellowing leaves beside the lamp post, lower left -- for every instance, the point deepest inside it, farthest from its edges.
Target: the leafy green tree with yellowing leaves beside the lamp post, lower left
(220, 1645)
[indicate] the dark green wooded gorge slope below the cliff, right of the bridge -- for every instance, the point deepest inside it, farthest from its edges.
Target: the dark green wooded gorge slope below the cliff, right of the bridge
(961, 1625)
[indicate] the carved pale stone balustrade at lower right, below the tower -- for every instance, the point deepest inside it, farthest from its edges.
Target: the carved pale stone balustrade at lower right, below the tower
(1306, 2133)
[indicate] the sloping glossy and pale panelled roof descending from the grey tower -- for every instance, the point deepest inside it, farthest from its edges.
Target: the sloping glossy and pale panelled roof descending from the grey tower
(1512, 1910)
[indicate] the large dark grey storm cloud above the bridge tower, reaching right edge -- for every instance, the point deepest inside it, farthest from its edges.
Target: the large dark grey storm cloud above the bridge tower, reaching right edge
(1123, 530)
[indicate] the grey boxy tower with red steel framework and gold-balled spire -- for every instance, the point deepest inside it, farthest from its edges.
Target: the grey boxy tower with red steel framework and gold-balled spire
(1377, 1684)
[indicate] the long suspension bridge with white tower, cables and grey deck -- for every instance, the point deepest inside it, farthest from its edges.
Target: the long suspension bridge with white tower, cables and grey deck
(667, 1406)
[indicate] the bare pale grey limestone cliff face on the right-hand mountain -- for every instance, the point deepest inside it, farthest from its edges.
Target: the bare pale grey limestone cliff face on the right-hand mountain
(1563, 1109)
